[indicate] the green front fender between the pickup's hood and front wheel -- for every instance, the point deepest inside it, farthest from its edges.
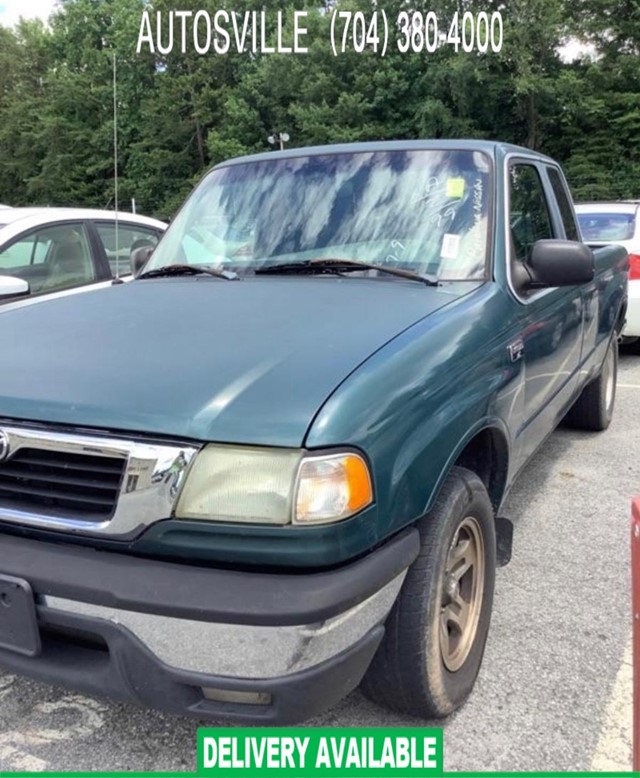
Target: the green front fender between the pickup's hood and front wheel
(414, 405)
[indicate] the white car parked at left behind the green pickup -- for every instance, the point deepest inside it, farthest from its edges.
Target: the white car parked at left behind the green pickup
(47, 251)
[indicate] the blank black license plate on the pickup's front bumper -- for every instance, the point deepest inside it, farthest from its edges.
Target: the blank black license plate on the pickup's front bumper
(18, 623)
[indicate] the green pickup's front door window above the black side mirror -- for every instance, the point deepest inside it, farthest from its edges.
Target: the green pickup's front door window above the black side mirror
(528, 211)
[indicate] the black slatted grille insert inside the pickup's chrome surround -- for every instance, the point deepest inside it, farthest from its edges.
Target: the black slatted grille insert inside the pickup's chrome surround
(57, 482)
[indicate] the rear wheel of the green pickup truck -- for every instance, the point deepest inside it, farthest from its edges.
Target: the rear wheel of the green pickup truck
(593, 410)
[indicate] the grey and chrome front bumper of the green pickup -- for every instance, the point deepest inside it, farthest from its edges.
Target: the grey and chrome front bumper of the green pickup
(250, 646)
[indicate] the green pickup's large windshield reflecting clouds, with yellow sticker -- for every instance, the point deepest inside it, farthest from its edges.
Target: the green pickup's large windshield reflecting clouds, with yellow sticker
(426, 211)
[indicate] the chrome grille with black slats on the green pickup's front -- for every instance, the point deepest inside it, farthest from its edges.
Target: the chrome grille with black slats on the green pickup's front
(88, 484)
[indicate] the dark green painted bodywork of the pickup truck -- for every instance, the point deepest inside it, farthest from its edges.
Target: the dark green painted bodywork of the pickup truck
(407, 374)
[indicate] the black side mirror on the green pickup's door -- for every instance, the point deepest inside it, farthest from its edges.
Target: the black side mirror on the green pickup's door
(560, 263)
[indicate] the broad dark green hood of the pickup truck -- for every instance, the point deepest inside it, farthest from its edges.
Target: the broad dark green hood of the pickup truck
(248, 361)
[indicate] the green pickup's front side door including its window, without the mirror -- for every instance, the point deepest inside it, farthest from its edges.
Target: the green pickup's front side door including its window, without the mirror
(551, 336)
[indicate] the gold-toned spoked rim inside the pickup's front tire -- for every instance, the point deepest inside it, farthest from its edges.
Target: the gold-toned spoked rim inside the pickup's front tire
(462, 591)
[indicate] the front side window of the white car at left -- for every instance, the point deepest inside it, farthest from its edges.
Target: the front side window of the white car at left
(50, 258)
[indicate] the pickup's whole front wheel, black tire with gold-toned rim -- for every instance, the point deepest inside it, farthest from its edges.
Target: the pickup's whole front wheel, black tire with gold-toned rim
(436, 632)
